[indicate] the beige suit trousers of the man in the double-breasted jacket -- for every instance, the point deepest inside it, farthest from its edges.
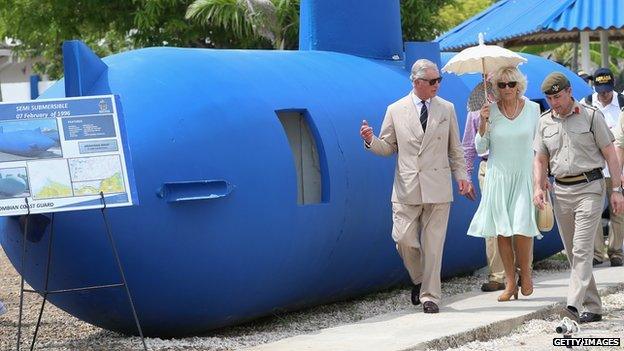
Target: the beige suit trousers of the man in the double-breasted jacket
(419, 232)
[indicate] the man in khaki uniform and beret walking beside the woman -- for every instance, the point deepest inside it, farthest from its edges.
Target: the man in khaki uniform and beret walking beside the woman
(575, 141)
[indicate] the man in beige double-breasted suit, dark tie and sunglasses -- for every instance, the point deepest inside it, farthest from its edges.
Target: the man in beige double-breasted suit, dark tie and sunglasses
(422, 129)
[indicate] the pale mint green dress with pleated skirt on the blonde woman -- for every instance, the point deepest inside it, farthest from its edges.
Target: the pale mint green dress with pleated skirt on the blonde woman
(506, 206)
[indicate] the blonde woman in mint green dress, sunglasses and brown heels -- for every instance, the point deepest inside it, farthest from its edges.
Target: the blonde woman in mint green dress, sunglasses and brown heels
(506, 210)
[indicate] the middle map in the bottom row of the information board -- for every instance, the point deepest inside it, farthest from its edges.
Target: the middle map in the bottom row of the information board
(49, 179)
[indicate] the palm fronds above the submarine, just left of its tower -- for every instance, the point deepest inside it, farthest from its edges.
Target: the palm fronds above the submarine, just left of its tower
(274, 20)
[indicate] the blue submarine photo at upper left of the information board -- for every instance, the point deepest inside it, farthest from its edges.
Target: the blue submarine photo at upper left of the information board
(29, 139)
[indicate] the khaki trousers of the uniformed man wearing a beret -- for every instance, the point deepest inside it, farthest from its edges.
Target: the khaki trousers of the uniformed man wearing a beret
(577, 210)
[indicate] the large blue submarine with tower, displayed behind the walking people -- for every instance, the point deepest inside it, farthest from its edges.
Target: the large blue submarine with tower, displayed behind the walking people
(256, 195)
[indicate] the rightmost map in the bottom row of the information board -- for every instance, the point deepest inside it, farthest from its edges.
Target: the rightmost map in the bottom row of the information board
(92, 175)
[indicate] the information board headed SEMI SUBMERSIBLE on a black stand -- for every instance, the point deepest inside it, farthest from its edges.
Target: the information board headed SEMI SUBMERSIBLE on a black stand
(63, 155)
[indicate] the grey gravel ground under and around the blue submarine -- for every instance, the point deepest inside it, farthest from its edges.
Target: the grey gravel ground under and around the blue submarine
(60, 331)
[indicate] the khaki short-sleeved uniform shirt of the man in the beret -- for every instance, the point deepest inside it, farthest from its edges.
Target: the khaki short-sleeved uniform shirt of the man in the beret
(573, 142)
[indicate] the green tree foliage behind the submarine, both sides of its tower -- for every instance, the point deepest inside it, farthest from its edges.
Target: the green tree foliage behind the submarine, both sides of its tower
(110, 26)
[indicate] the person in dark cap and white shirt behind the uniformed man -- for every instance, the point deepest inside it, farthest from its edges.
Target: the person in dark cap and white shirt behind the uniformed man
(609, 102)
